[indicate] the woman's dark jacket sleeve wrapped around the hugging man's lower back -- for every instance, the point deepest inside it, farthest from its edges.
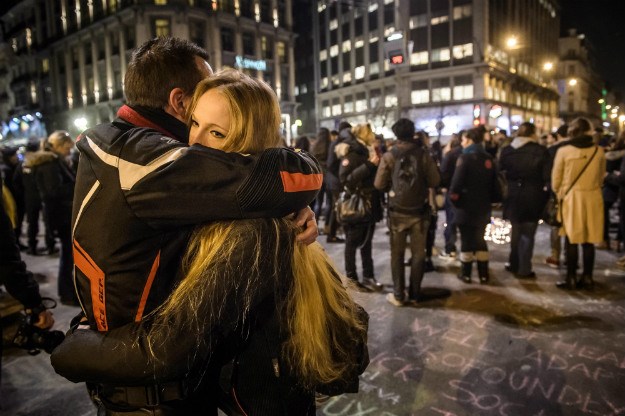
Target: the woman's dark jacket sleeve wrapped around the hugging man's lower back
(122, 355)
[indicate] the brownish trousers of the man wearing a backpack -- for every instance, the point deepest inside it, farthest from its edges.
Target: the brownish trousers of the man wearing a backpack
(401, 228)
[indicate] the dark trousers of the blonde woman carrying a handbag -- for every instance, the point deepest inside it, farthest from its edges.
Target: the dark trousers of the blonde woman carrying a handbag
(358, 236)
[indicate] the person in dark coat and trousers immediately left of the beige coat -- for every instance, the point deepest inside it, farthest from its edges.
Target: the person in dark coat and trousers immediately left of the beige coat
(527, 168)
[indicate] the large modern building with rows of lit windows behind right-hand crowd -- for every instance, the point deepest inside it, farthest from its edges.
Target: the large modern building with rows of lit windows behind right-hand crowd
(445, 64)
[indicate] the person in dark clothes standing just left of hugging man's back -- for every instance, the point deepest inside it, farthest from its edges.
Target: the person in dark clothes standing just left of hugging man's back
(55, 181)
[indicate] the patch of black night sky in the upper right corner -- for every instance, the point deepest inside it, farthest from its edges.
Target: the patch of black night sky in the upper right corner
(603, 23)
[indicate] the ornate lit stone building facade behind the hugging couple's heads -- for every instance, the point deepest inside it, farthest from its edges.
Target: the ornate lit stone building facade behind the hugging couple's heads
(66, 59)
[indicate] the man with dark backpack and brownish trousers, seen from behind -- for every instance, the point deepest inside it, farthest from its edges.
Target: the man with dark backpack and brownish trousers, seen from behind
(407, 172)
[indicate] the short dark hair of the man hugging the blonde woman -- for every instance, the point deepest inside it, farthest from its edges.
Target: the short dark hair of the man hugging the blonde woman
(160, 65)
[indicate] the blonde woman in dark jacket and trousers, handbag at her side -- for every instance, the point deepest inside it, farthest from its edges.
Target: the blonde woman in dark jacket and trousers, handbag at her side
(359, 164)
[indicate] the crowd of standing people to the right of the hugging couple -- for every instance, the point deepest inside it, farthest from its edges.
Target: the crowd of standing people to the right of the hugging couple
(475, 172)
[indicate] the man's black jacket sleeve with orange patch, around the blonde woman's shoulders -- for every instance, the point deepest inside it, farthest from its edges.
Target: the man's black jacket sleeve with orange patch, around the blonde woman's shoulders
(202, 184)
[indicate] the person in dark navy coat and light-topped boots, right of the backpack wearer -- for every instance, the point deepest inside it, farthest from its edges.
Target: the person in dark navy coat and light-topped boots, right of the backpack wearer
(473, 189)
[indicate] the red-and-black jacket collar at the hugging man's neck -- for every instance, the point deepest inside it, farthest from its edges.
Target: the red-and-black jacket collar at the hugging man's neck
(156, 119)
